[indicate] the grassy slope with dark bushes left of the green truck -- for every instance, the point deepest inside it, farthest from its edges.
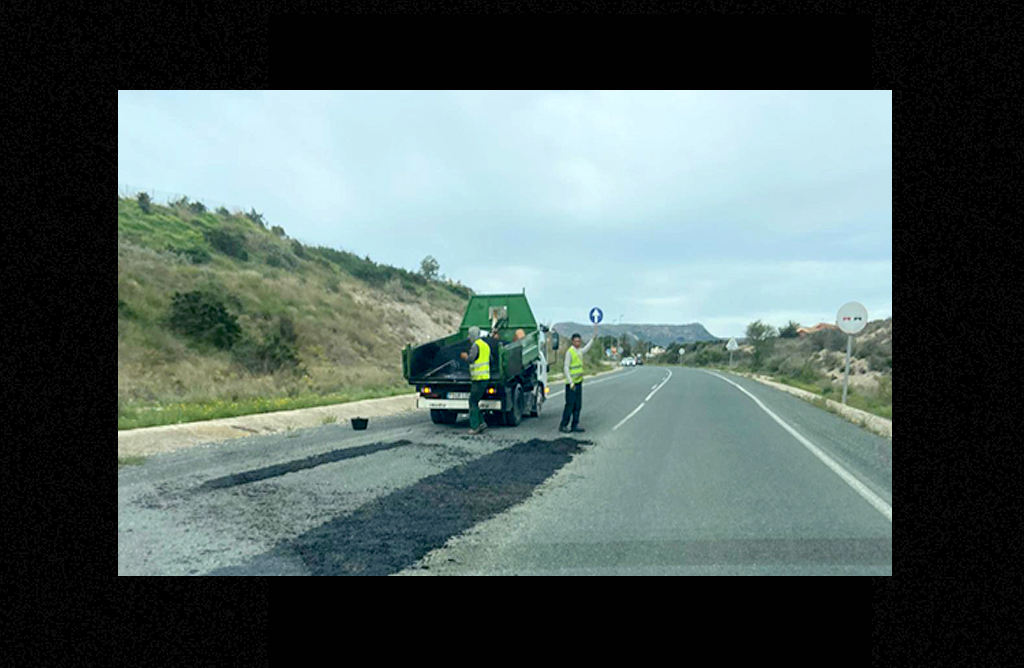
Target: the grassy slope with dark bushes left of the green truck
(221, 315)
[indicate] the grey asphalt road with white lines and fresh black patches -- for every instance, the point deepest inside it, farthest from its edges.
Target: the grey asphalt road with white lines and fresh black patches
(679, 473)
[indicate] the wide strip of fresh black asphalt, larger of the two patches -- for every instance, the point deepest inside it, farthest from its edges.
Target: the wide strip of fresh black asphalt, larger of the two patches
(394, 532)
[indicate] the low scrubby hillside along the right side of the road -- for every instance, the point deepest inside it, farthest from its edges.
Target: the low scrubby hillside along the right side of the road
(815, 363)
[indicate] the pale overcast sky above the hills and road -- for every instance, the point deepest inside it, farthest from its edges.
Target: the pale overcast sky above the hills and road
(661, 207)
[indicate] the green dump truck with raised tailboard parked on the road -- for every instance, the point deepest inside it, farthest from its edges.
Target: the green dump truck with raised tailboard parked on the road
(519, 369)
